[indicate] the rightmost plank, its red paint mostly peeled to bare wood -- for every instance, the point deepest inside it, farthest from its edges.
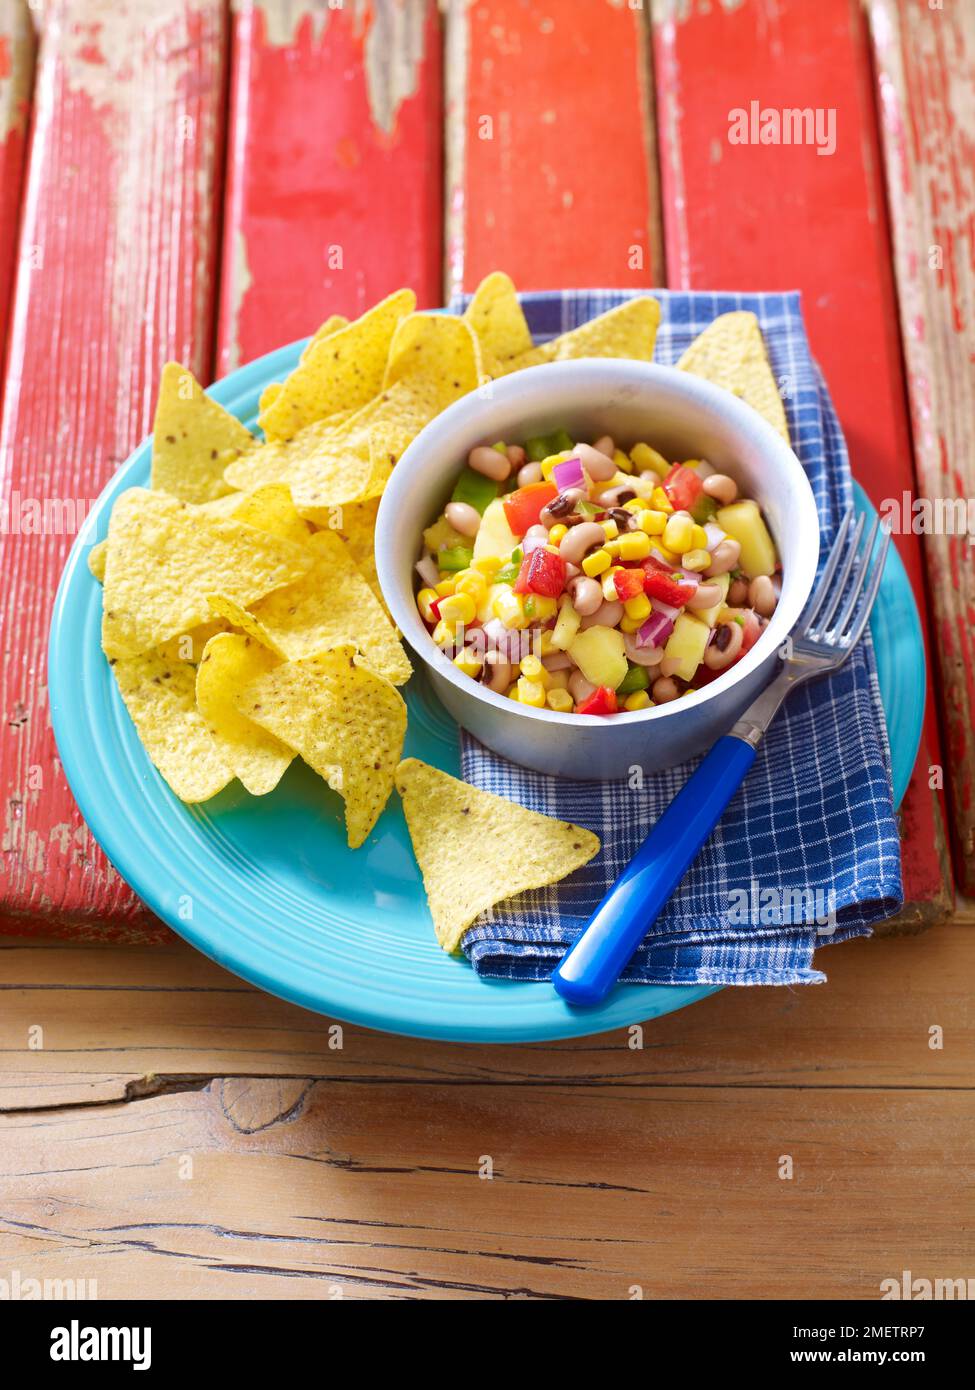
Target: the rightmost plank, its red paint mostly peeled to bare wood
(926, 62)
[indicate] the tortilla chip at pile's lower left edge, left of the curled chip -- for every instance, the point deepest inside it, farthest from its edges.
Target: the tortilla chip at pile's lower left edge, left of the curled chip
(161, 697)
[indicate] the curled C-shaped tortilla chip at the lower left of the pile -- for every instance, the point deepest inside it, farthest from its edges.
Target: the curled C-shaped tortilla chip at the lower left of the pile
(230, 665)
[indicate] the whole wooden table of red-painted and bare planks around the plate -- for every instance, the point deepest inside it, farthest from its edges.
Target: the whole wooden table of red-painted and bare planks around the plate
(207, 181)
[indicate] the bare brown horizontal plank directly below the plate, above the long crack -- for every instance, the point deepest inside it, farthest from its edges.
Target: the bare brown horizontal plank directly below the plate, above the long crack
(156, 1017)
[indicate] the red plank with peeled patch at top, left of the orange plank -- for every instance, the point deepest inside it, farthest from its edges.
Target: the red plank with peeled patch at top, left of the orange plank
(335, 172)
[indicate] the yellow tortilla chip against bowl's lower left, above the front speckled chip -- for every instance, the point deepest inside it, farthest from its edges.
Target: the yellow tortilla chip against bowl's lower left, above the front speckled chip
(330, 607)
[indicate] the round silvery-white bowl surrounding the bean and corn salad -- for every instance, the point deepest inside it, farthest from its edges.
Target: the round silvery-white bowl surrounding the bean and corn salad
(684, 418)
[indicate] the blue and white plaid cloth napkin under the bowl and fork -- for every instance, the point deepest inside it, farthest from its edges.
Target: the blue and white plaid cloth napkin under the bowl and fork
(809, 851)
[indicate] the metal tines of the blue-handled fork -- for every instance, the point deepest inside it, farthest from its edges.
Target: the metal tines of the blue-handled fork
(849, 586)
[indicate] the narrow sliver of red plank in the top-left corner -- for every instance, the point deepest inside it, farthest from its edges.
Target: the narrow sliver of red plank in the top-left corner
(16, 85)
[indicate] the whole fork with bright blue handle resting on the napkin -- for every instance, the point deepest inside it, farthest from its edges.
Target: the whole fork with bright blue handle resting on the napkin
(828, 630)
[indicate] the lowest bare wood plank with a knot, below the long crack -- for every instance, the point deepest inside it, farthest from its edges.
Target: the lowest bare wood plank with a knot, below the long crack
(323, 1191)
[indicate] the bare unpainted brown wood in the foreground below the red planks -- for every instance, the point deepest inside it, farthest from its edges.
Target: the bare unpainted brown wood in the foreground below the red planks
(358, 1174)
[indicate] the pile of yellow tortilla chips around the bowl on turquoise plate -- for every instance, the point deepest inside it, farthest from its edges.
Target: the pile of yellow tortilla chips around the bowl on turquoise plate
(243, 615)
